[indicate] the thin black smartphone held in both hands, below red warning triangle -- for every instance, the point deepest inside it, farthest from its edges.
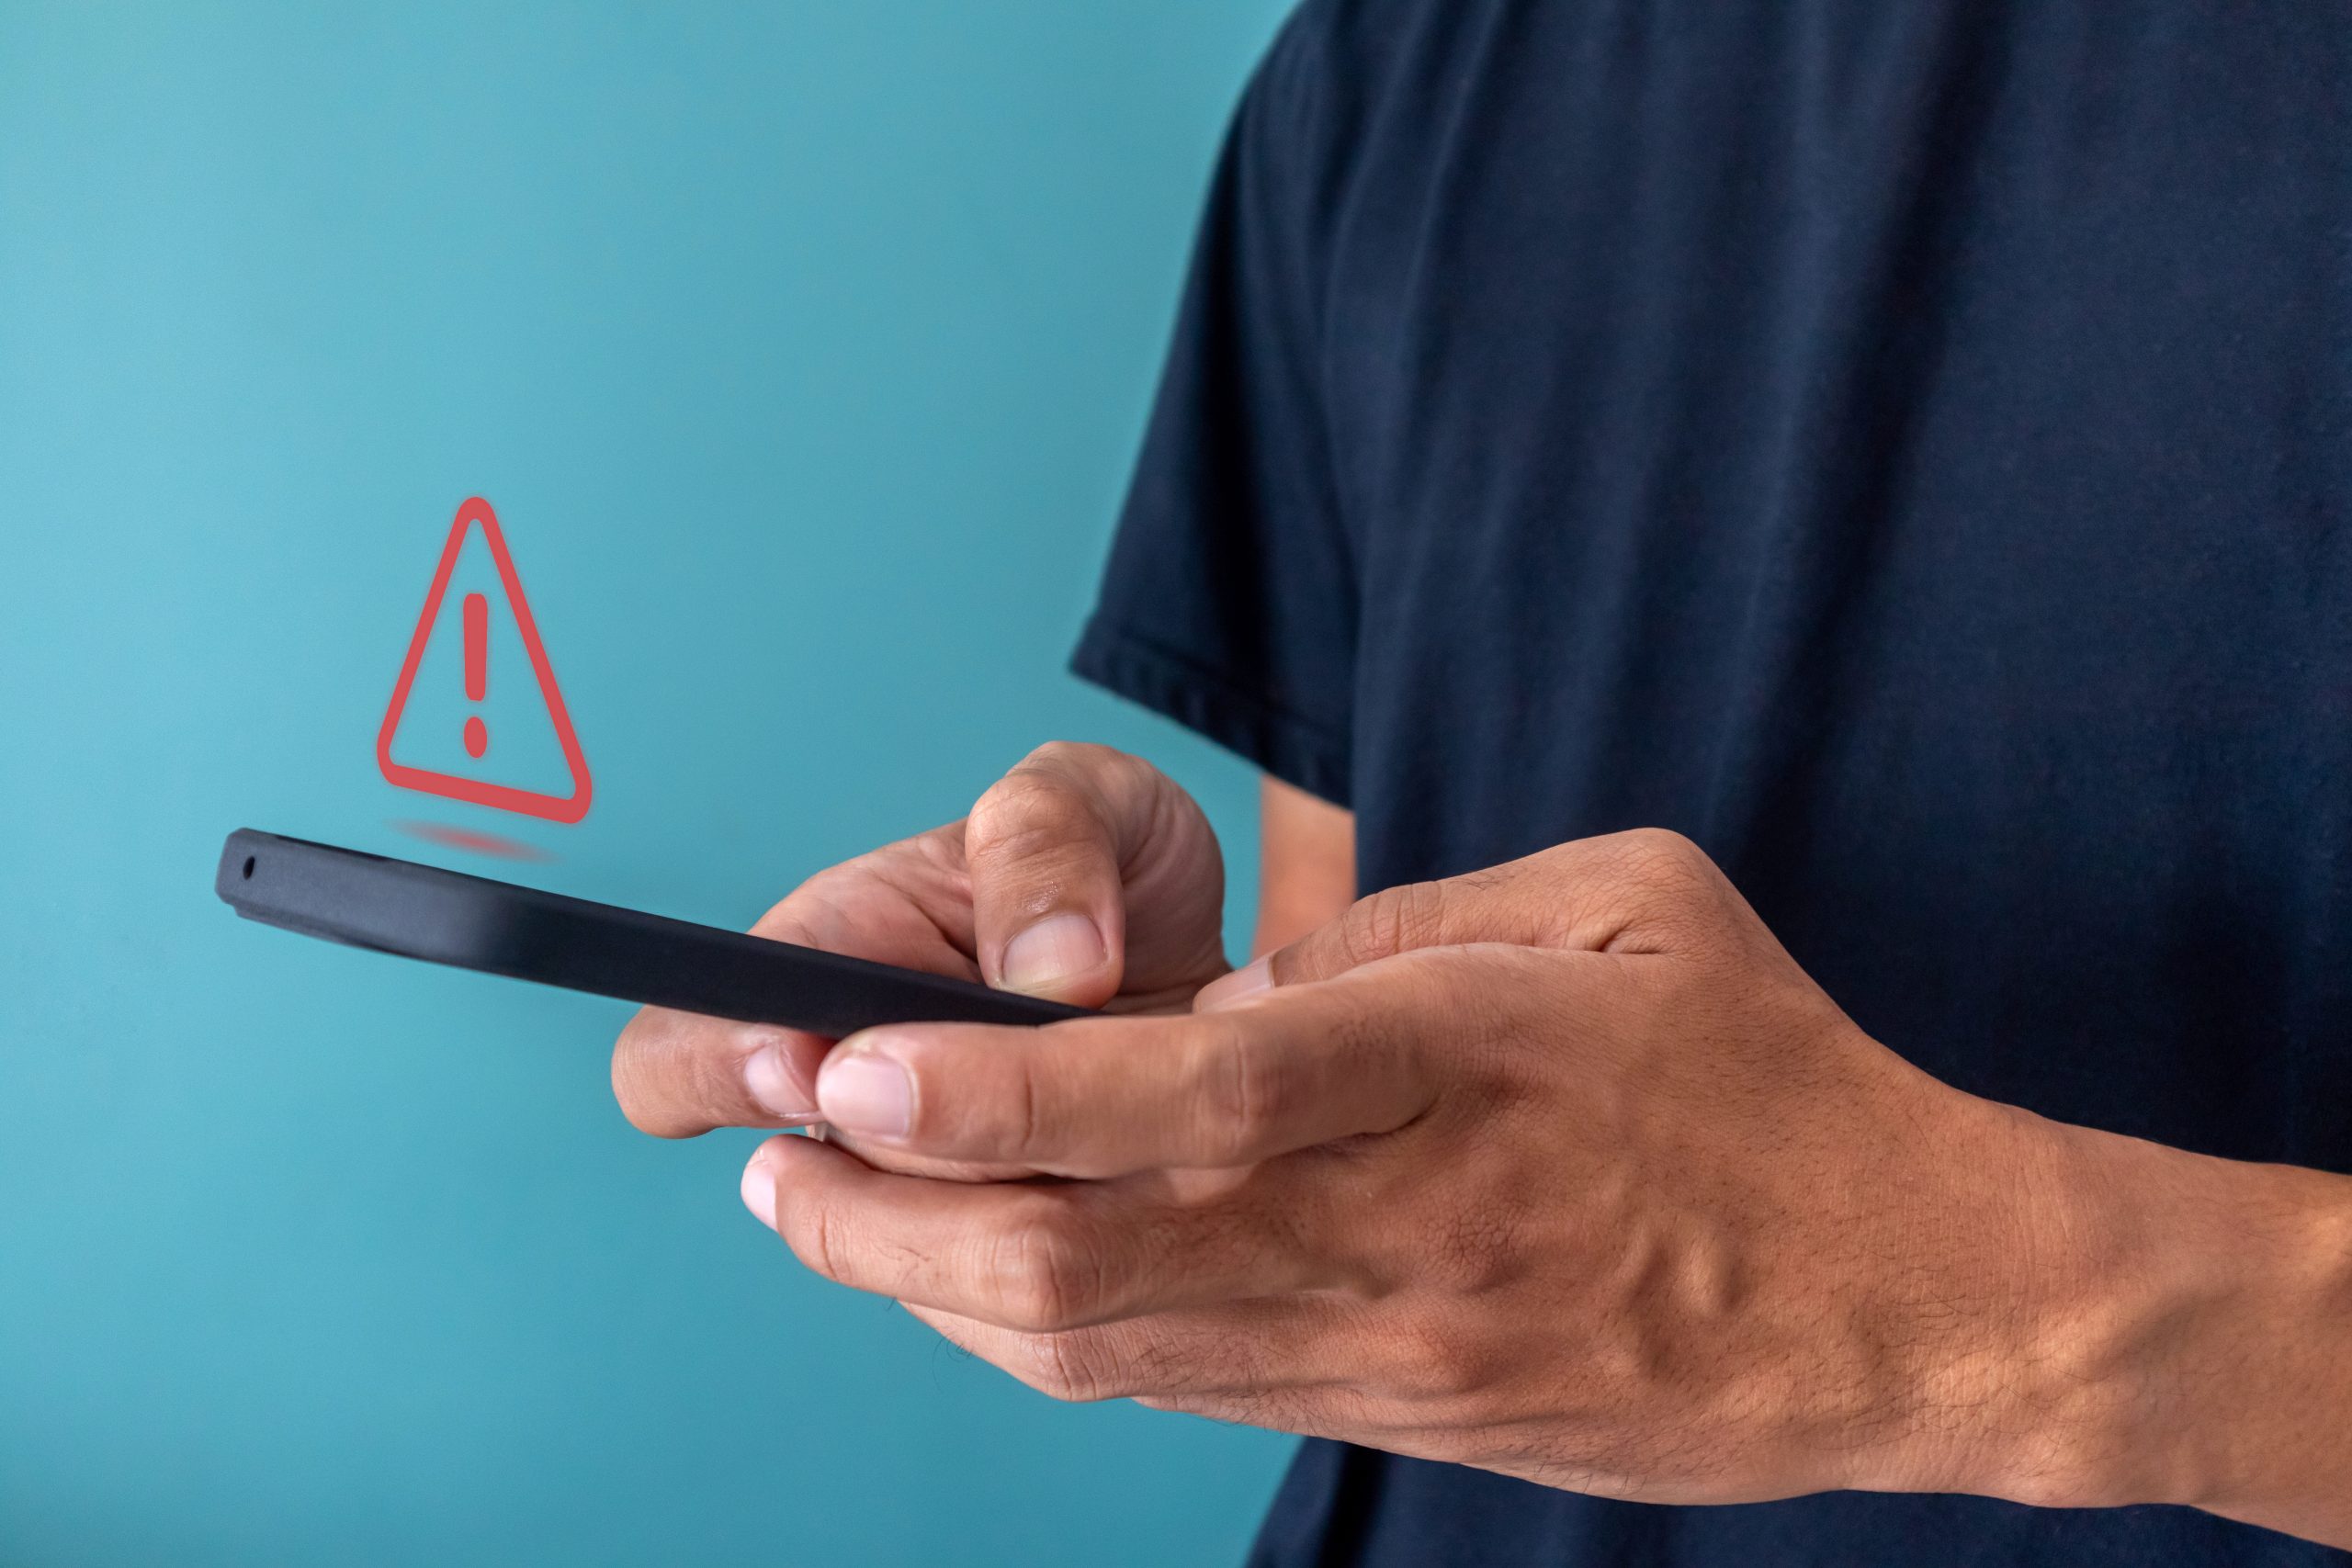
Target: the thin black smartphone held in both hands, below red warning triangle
(505, 930)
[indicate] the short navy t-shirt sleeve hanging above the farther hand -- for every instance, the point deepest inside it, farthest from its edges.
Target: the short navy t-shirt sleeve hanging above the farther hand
(1231, 598)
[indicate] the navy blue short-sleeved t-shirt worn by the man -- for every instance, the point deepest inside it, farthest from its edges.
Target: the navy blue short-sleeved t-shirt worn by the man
(1904, 445)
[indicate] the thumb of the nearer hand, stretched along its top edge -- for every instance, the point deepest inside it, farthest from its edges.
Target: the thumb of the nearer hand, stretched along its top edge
(1605, 894)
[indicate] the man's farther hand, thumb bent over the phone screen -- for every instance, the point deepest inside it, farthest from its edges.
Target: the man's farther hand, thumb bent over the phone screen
(1083, 876)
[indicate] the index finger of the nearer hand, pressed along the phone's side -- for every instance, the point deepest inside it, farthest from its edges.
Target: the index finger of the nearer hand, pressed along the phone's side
(1107, 1097)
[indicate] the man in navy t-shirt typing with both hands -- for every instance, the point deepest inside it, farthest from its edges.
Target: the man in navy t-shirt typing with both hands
(1906, 453)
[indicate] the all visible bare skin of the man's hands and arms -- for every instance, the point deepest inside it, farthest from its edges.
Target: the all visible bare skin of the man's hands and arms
(1563, 1170)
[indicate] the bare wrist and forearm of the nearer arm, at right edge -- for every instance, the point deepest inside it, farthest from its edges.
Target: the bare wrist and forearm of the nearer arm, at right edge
(2203, 1348)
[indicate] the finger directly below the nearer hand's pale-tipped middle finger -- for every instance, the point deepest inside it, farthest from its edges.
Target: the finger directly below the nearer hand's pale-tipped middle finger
(1227, 1353)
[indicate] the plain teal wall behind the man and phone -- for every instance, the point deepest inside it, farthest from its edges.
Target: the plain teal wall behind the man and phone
(803, 351)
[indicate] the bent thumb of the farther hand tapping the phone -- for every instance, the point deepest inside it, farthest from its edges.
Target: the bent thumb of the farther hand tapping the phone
(1055, 850)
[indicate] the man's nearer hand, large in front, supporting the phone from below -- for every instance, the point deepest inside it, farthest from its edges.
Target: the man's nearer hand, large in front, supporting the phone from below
(1561, 1170)
